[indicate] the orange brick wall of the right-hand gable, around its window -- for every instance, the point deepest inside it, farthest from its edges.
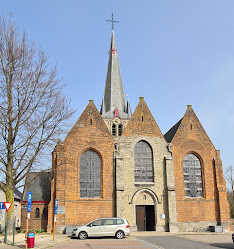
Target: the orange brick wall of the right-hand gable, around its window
(192, 138)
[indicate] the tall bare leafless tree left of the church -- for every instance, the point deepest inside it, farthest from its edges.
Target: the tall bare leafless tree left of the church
(33, 109)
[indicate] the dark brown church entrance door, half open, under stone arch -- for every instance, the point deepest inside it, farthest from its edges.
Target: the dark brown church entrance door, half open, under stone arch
(145, 218)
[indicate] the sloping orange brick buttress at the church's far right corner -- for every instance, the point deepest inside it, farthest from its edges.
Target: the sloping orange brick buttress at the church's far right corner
(222, 195)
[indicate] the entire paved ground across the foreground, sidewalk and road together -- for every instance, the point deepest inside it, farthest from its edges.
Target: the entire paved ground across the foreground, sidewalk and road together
(138, 240)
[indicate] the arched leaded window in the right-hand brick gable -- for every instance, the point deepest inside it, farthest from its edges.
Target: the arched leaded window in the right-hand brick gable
(192, 176)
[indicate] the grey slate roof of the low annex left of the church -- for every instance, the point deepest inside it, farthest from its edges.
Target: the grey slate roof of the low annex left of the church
(39, 184)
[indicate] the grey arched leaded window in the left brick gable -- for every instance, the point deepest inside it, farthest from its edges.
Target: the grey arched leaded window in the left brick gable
(90, 175)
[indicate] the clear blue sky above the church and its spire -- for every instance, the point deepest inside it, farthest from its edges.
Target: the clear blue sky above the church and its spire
(173, 53)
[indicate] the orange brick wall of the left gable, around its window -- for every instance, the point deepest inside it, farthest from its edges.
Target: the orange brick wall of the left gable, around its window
(88, 133)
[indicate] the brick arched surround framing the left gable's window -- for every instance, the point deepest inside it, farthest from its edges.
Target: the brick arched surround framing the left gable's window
(79, 172)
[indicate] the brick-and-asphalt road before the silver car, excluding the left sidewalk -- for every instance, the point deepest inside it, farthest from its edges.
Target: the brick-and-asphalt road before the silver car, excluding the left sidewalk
(152, 242)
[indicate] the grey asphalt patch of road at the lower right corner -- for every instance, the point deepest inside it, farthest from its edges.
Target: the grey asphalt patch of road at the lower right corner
(174, 242)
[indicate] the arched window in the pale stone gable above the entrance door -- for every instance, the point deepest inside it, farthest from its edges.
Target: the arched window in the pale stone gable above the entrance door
(143, 162)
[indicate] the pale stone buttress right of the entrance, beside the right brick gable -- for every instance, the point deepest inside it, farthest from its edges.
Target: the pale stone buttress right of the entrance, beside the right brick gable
(170, 181)
